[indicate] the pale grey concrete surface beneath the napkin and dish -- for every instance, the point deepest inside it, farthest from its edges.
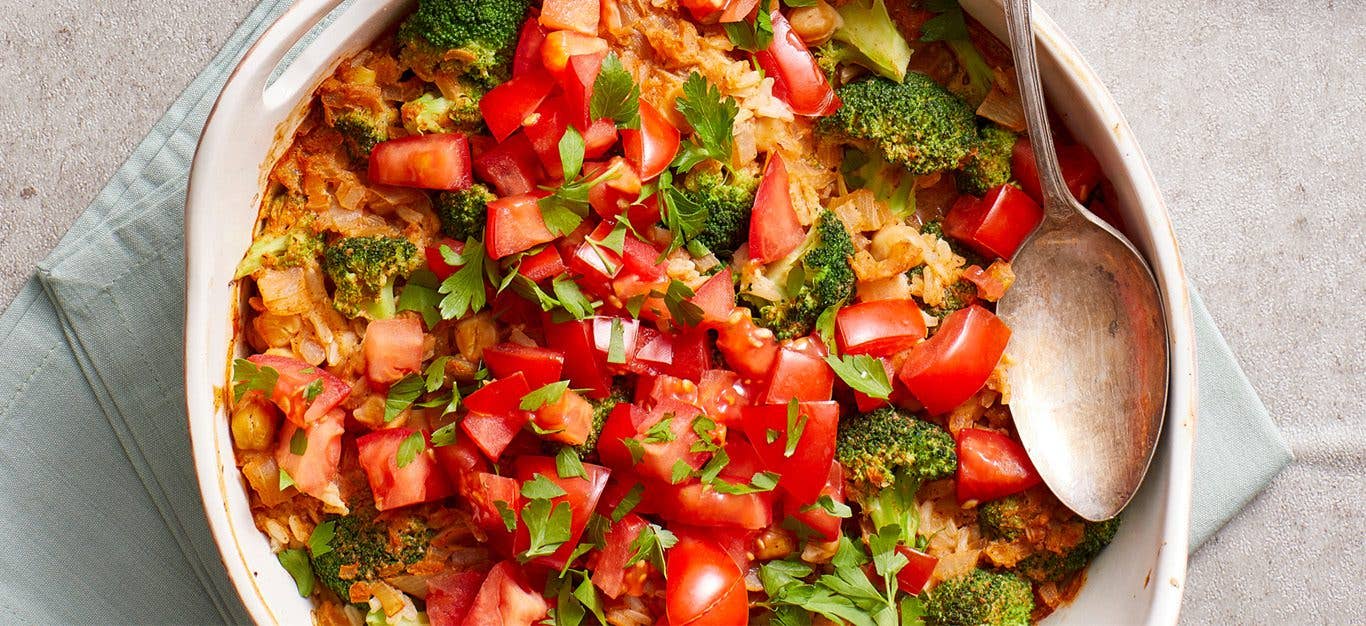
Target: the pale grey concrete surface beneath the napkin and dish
(1252, 114)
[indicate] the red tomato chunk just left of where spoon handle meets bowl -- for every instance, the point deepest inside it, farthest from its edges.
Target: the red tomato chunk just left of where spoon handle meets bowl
(996, 225)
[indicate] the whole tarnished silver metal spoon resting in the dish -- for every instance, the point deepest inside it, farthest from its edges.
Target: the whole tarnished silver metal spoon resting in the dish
(1089, 345)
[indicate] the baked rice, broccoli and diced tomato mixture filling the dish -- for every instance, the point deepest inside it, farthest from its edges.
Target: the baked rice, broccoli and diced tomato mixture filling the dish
(654, 312)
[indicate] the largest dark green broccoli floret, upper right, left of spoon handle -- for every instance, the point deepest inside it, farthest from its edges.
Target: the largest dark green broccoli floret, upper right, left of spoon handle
(916, 124)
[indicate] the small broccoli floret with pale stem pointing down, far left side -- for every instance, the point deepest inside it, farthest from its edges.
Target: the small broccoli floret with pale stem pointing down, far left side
(365, 269)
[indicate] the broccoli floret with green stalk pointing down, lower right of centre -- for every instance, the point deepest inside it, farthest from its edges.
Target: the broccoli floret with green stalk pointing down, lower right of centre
(886, 456)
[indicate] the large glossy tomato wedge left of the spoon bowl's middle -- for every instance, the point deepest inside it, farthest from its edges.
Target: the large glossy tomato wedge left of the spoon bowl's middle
(949, 368)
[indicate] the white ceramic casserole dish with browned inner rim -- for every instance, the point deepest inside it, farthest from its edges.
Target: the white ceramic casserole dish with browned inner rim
(1140, 579)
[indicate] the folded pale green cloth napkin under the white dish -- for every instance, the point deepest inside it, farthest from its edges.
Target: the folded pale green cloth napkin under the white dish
(100, 515)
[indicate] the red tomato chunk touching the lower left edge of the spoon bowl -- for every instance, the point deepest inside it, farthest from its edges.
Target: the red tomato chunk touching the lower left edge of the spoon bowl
(992, 465)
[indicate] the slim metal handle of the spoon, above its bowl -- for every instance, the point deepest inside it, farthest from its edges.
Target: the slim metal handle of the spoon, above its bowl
(1058, 200)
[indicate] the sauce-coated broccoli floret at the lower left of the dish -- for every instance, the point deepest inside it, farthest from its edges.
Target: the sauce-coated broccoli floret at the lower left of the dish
(367, 549)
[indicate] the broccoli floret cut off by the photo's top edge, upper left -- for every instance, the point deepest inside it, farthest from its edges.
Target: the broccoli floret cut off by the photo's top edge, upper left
(469, 38)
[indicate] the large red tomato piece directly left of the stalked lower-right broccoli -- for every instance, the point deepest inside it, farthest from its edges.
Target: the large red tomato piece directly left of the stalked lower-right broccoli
(808, 465)
